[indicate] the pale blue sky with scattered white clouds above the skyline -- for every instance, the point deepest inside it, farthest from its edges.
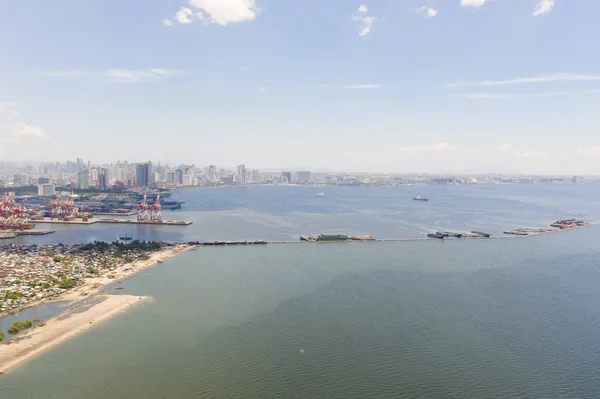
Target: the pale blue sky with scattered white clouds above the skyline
(437, 86)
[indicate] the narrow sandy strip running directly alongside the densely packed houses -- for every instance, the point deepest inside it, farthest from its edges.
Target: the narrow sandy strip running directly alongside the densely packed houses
(94, 285)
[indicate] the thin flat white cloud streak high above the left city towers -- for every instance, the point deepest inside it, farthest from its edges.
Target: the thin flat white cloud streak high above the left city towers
(121, 75)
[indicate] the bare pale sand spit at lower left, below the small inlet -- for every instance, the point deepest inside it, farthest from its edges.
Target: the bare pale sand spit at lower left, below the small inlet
(60, 328)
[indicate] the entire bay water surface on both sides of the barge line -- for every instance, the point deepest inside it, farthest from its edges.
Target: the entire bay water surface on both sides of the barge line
(498, 318)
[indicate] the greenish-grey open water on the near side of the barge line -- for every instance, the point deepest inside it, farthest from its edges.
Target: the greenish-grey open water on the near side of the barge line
(486, 318)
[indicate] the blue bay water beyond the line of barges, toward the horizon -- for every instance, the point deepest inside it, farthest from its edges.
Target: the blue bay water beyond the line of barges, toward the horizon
(283, 213)
